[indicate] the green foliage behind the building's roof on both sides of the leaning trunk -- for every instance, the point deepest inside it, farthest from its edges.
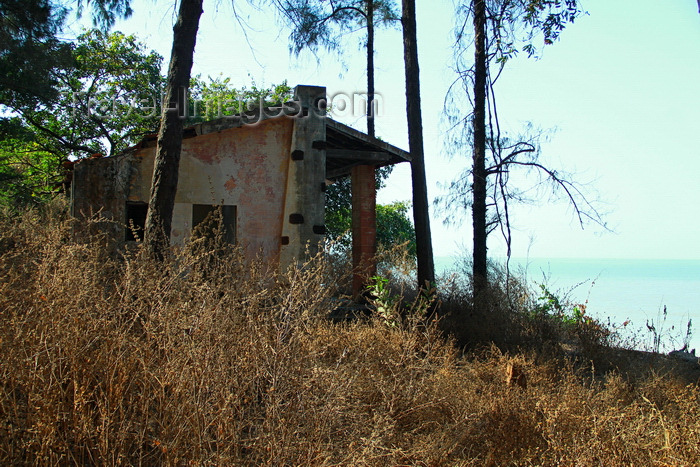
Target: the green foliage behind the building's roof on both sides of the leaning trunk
(110, 97)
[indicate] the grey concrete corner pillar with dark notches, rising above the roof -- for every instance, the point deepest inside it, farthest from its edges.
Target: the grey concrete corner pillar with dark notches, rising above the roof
(303, 225)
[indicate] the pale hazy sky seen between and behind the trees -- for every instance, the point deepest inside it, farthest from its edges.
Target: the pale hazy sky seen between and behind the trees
(620, 87)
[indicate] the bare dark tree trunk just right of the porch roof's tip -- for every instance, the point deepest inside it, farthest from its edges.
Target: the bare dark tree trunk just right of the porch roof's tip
(421, 219)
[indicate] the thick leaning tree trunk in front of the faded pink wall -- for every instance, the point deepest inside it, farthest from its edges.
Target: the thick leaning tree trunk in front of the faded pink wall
(167, 162)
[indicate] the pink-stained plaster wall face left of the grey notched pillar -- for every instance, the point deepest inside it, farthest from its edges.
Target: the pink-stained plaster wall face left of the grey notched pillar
(246, 167)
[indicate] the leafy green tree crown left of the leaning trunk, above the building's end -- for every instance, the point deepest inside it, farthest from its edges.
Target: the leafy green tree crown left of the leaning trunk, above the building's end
(108, 99)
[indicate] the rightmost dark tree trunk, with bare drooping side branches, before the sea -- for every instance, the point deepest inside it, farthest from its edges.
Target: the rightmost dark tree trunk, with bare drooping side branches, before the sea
(479, 267)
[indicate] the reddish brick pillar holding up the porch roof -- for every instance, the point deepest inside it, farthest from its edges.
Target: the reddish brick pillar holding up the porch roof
(364, 226)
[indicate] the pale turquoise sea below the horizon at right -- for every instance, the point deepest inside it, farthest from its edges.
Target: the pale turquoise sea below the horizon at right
(631, 295)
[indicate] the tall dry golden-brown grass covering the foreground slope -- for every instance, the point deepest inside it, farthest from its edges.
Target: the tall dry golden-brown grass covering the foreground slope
(117, 361)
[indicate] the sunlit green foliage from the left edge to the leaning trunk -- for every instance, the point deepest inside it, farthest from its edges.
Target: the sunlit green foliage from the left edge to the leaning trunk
(97, 107)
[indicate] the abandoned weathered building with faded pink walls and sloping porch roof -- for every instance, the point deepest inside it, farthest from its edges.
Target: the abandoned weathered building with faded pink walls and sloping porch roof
(267, 171)
